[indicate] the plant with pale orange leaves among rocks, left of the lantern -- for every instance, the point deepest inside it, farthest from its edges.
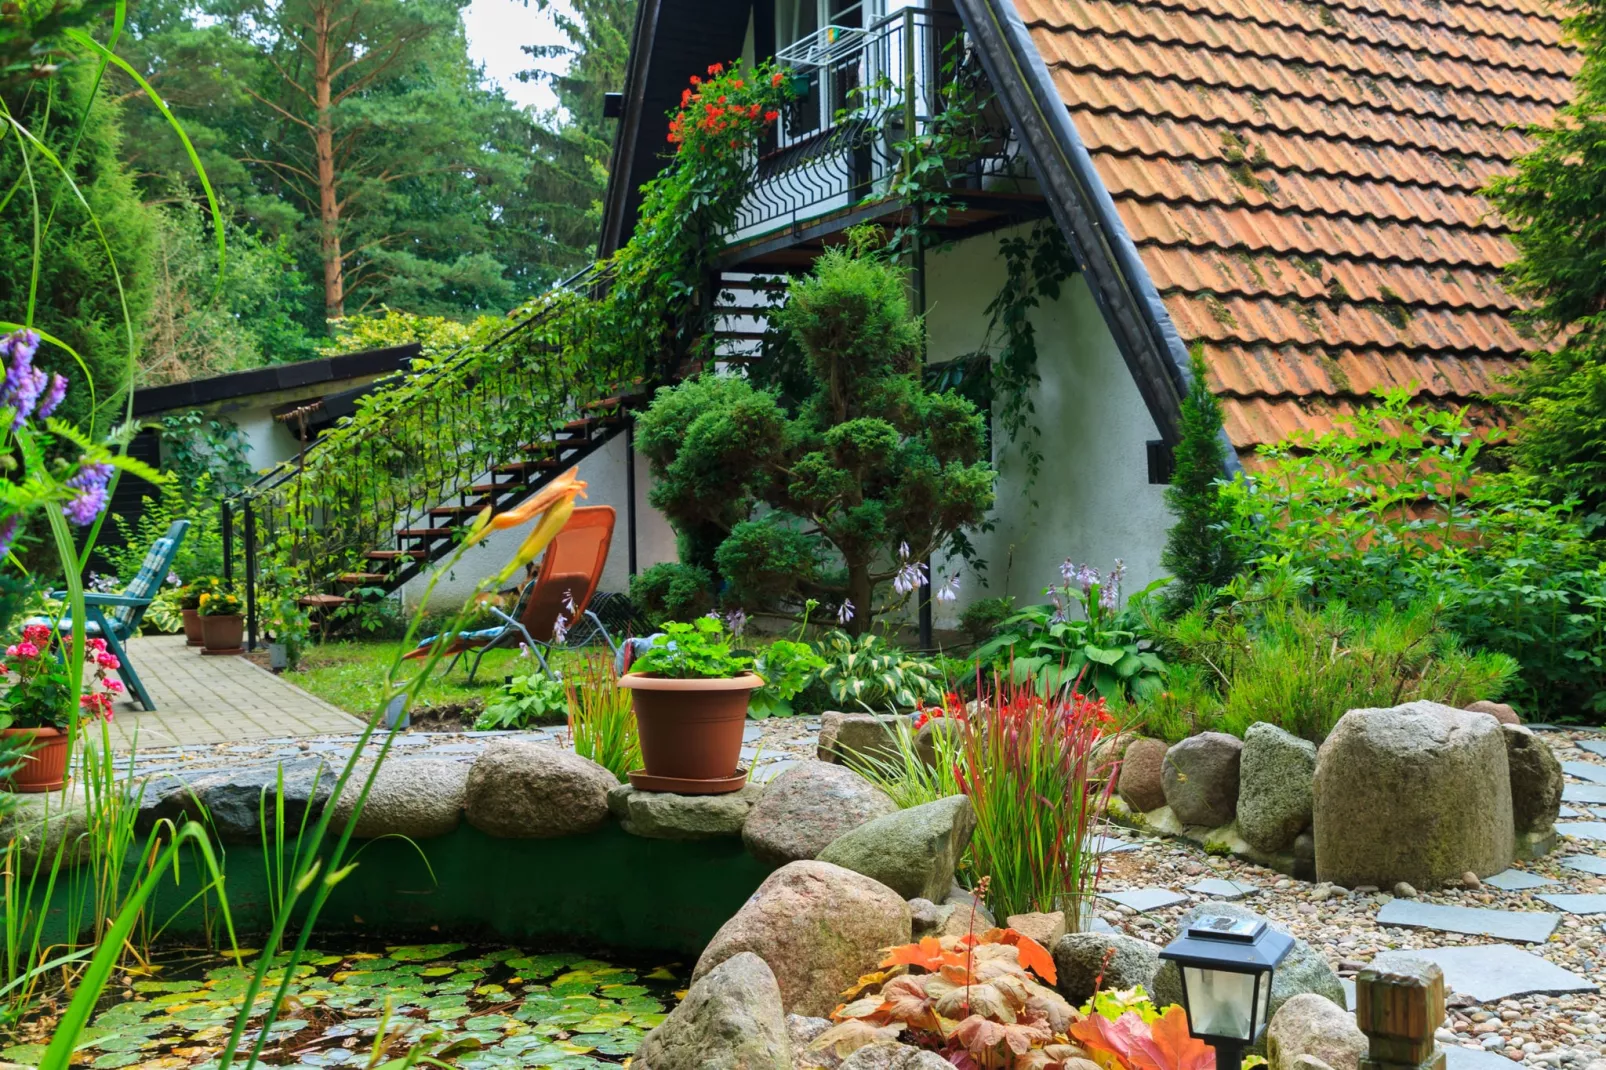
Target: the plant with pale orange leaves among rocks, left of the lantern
(984, 1002)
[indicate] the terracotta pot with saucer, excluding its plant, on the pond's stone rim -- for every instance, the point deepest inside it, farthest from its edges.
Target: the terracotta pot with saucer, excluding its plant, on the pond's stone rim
(691, 732)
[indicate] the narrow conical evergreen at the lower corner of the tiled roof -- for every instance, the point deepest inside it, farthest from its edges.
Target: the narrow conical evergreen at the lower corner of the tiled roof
(1200, 553)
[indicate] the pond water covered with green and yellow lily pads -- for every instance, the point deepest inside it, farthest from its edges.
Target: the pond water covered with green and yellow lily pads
(473, 1007)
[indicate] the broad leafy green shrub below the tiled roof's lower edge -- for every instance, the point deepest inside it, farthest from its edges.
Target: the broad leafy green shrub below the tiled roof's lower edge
(1395, 508)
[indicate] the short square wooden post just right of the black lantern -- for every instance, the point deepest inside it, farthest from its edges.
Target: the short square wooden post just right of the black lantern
(1400, 1008)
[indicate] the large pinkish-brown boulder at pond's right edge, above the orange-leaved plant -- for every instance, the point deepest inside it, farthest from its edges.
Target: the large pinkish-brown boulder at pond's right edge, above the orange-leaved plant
(818, 928)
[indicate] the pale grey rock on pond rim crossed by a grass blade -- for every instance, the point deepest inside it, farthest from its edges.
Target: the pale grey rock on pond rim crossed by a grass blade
(414, 798)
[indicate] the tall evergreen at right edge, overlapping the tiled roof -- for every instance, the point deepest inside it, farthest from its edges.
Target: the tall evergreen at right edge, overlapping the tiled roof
(1557, 200)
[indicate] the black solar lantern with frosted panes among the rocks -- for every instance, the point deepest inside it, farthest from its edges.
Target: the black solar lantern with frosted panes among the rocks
(1226, 966)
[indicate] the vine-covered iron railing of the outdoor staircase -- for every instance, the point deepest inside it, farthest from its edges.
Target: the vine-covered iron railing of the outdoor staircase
(425, 452)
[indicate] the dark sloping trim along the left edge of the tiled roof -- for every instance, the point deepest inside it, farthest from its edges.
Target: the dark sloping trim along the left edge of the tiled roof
(1085, 211)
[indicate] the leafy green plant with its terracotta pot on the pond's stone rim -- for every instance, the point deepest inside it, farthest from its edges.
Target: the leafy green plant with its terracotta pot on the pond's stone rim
(691, 693)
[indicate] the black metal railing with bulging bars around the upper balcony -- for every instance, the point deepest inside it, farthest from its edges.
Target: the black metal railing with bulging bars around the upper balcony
(868, 92)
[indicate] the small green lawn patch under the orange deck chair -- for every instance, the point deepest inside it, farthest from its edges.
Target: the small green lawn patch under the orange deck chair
(349, 674)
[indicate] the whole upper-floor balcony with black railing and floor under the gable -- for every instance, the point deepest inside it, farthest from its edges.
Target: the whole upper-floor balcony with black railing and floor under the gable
(839, 152)
